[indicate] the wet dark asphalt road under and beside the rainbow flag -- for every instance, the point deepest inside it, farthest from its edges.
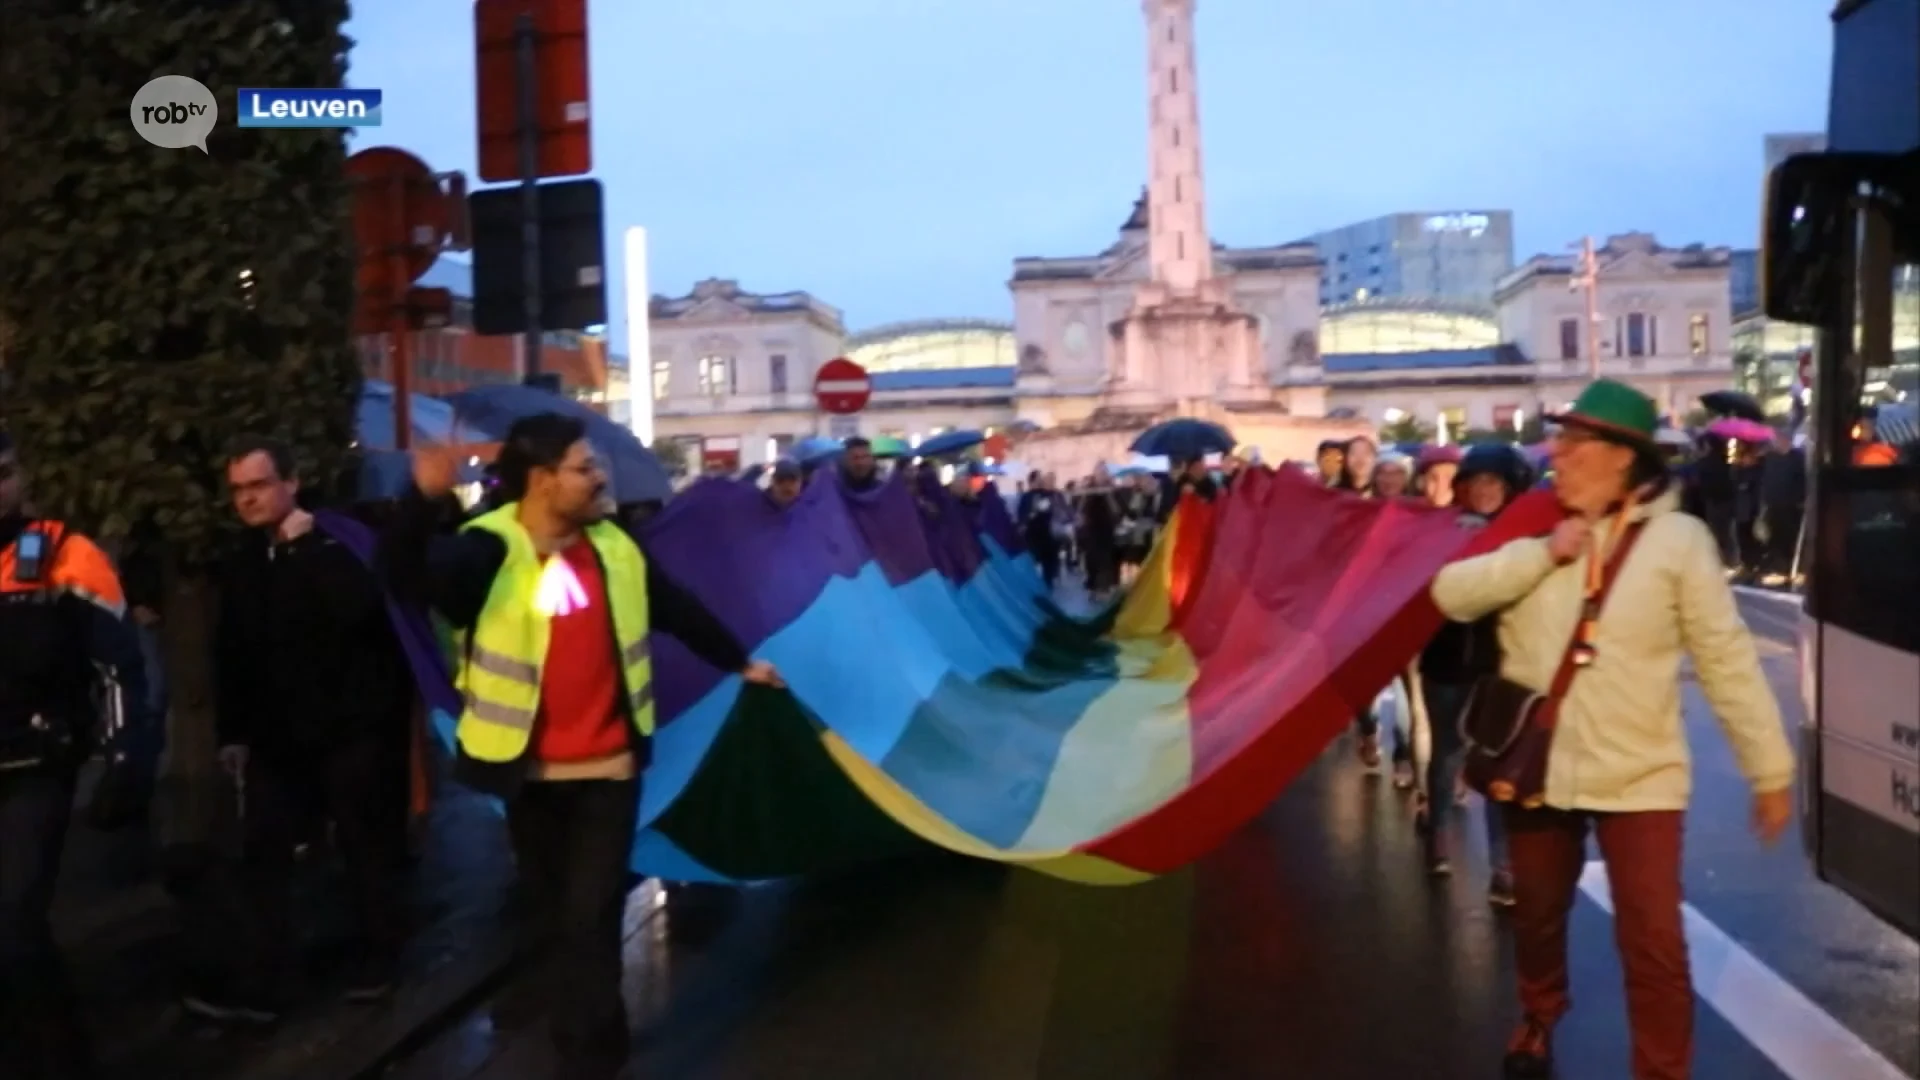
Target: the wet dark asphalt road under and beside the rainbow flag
(1310, 946)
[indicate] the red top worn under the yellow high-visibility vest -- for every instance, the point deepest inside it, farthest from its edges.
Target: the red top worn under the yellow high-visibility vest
(581, 712)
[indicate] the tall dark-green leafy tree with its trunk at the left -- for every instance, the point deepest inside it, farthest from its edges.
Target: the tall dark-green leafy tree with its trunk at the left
(162, 303)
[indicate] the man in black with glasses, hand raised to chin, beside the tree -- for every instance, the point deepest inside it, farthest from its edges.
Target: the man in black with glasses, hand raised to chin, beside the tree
(314, 722)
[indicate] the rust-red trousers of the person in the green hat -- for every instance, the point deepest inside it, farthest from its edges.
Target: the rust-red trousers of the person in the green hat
(1643, 854)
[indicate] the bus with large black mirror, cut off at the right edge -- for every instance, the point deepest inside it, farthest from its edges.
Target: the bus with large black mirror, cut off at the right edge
(1842, 255)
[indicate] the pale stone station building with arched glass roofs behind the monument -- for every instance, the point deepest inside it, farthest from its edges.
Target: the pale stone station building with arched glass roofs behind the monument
(1454, 370)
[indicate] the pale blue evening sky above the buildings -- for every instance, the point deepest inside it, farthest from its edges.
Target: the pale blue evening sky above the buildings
(892, 157)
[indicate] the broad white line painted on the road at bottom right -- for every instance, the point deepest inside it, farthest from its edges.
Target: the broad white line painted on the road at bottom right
(1783, 1023)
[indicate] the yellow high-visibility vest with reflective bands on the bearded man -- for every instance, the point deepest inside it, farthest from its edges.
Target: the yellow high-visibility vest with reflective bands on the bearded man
(508, 649)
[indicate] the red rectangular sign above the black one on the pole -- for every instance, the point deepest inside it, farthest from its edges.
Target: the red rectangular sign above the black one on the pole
(558, 57)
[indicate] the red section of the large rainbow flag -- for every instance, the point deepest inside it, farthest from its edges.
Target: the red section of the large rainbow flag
(1308, 604)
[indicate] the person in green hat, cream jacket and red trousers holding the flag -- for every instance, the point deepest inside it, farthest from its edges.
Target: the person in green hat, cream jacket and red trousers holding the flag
(1643, 591)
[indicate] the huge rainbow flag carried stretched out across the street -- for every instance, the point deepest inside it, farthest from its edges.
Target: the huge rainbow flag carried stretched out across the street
(940, 697)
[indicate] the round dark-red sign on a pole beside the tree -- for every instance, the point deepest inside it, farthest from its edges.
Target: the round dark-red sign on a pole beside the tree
(400, 222)
